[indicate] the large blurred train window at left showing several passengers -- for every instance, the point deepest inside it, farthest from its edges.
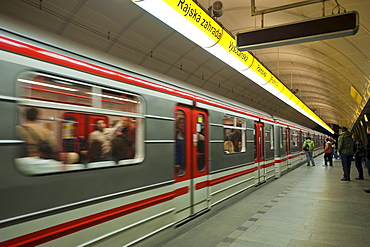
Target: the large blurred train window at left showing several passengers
(76, 133)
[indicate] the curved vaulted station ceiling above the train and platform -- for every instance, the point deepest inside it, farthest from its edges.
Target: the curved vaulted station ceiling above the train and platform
(321, 72)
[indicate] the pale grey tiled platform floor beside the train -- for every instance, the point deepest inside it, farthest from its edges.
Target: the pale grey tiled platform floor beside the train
(309, 206)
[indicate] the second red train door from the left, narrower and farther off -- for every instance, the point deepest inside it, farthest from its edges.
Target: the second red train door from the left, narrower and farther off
(260, 151)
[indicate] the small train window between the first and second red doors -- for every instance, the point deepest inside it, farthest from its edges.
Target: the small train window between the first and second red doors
(234, 134)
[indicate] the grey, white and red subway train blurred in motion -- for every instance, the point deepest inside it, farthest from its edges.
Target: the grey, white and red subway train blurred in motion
(99, 152)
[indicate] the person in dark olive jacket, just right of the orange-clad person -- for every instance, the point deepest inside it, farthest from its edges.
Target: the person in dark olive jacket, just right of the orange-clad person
(345, 149)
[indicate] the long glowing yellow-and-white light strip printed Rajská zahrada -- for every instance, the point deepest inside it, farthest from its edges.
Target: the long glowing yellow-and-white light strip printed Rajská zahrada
(189, 19)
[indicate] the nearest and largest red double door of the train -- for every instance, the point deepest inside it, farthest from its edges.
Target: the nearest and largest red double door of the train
(191, 161)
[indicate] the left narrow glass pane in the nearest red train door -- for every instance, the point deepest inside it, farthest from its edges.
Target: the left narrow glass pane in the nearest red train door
(180, 139)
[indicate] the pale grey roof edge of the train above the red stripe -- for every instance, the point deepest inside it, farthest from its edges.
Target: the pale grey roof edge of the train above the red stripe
(37, 35)
